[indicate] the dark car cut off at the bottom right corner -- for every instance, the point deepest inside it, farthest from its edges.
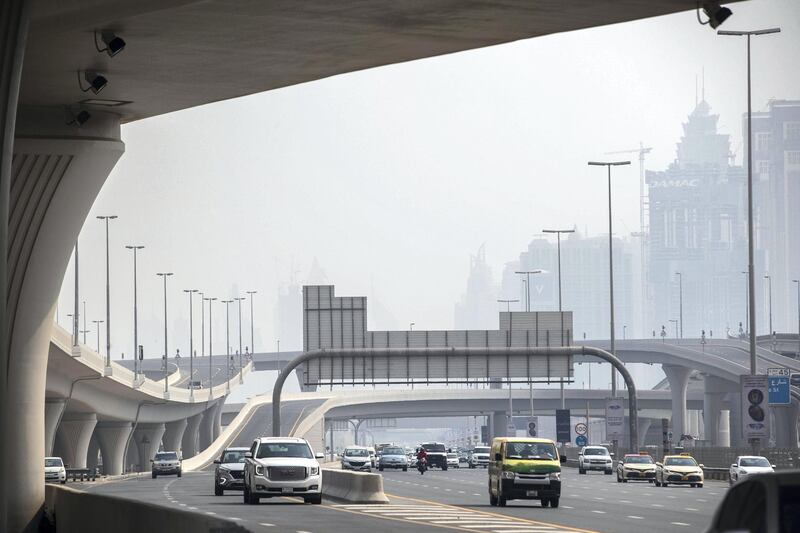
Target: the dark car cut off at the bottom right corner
(763, 503)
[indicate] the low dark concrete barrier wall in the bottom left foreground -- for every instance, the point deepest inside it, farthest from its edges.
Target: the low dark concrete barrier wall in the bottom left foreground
(68, 510)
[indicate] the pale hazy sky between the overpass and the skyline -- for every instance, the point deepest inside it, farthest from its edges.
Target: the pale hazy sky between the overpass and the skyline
(392, 177)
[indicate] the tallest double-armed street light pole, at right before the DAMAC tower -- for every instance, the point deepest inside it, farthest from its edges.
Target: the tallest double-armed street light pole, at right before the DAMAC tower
(751, 280)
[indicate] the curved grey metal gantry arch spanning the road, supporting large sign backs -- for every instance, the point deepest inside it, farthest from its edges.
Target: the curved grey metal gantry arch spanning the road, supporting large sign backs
(537, 361)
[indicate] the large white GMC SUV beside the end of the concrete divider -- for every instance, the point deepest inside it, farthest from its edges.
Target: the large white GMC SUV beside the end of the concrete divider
(282, 466)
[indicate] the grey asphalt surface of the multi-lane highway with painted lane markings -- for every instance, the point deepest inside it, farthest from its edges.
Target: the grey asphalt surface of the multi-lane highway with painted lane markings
(456, 500)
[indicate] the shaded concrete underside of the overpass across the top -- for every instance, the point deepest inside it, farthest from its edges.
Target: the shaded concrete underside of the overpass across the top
(182, 53)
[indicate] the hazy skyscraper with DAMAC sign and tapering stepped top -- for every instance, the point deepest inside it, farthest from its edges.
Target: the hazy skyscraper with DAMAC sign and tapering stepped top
(697, 220)
